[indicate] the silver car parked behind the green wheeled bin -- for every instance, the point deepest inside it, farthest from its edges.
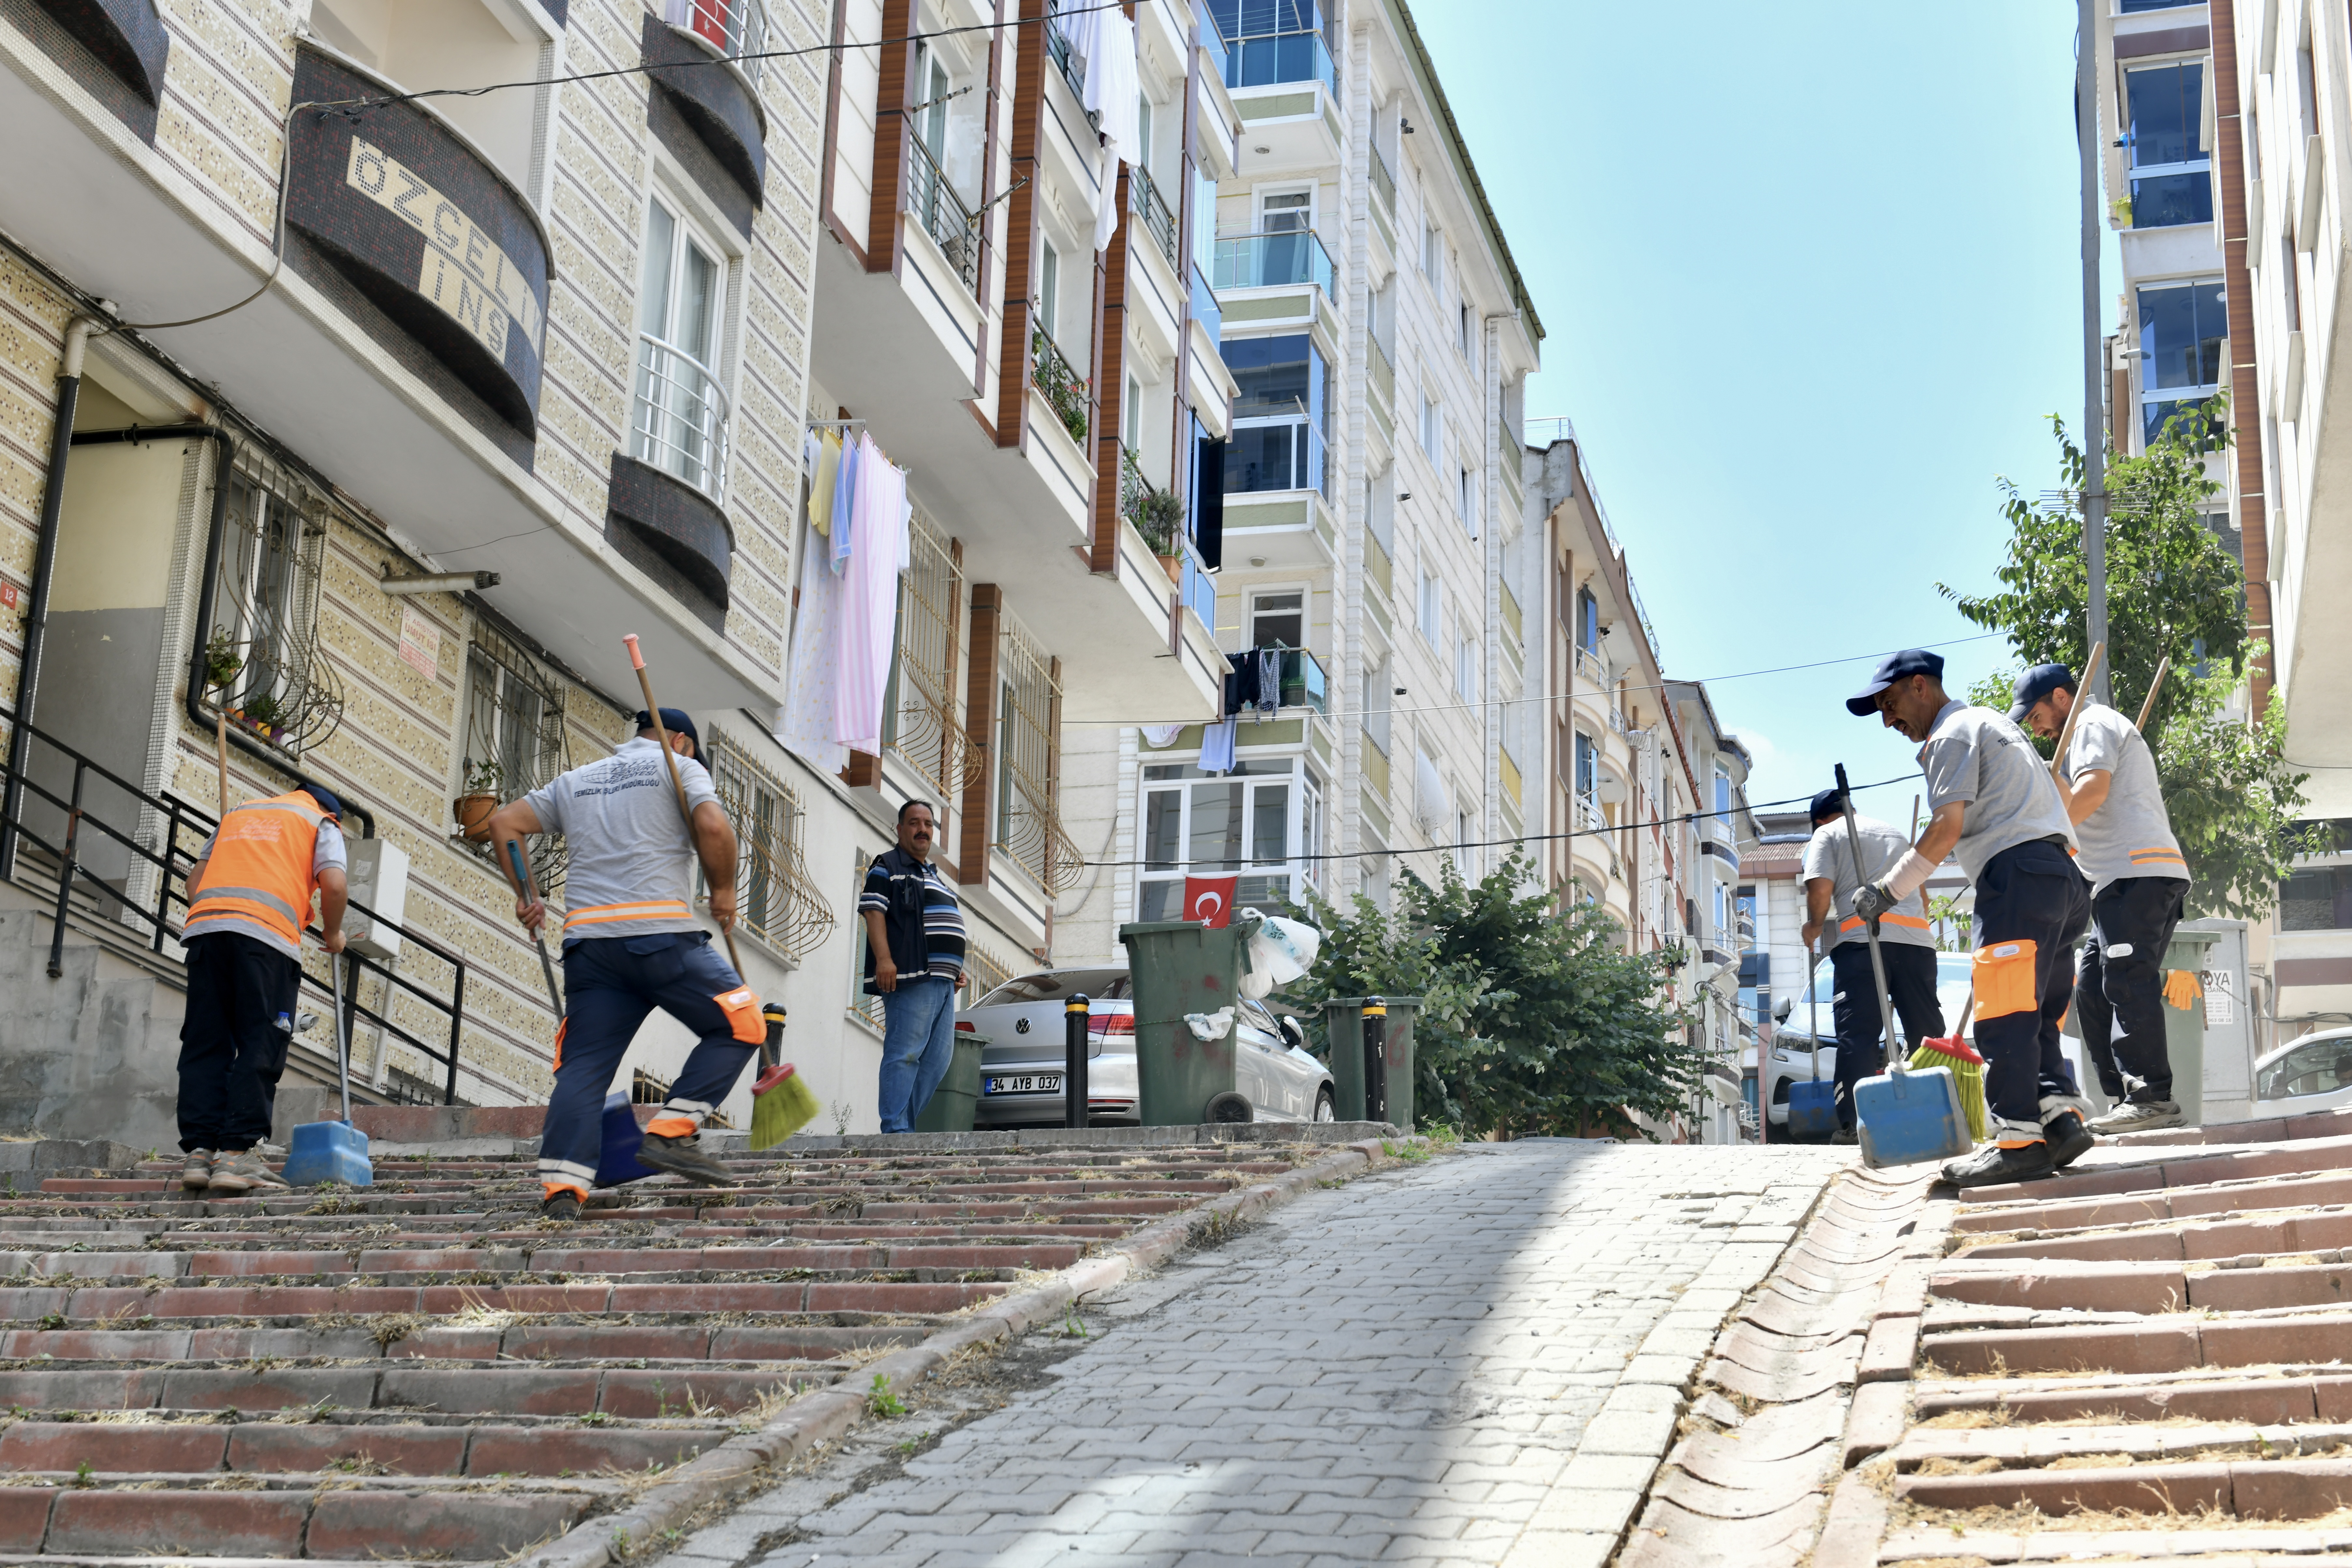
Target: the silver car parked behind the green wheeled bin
(1022, 1066)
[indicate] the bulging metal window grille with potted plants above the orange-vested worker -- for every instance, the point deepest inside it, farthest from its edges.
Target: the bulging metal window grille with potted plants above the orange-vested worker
(262, 648)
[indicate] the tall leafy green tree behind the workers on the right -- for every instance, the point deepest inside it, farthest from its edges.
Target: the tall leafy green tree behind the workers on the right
(2174, 591)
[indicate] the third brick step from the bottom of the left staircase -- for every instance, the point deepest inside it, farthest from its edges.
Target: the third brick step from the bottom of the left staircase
(472, 1391)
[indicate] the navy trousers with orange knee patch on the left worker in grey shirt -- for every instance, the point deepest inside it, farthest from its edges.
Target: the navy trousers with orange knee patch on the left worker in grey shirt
(610, 986)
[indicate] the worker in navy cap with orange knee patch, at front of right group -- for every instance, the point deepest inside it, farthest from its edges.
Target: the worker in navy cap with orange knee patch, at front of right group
(1998, 810)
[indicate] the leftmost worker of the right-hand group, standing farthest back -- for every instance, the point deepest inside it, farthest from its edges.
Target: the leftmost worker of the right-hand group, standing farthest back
(1904, 939)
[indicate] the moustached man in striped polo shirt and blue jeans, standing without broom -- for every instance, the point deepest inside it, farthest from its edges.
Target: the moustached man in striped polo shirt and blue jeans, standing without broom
(916, 965)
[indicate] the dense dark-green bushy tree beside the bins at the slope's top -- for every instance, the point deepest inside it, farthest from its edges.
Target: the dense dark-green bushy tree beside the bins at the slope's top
(1535, 1021)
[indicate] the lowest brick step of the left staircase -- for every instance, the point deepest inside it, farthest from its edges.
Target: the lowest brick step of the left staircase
(281, 1525)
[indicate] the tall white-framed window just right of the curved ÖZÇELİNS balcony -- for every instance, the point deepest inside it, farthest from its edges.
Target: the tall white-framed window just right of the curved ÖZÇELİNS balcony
(681, 410)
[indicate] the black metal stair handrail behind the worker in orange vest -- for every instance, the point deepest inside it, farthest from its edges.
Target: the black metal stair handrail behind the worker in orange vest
(180, 864)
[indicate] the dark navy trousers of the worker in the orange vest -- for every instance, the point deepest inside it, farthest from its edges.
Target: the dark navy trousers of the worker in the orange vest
(232, 1047)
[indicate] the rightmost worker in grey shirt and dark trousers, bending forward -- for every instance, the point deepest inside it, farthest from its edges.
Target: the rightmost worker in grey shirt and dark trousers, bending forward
(2139, 885)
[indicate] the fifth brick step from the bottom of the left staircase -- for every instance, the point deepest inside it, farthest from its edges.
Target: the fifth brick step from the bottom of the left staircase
(34, 1306)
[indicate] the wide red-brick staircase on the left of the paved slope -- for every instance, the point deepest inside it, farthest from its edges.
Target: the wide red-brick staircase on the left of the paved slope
(427, 1369)
